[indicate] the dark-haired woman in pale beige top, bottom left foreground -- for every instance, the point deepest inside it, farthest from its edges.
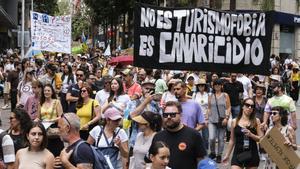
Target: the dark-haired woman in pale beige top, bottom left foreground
(36, 154)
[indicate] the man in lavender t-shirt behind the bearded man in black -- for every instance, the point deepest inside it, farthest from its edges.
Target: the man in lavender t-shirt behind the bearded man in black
(192, 115)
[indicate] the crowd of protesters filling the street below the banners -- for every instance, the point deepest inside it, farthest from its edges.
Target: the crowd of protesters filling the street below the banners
(154, 119)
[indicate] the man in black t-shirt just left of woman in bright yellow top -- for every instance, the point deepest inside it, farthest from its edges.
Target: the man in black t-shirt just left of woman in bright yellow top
(74, 91)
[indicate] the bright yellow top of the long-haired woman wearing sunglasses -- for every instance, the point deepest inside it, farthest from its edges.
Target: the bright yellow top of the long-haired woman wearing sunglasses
(85, 112)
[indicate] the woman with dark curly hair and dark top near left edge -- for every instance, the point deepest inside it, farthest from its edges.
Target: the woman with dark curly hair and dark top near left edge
(20, 122)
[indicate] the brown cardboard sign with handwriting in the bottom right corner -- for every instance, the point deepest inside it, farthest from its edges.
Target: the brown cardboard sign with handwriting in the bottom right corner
(284, 157)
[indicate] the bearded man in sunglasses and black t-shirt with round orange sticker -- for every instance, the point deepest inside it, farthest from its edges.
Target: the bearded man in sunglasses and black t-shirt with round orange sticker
(186, 144)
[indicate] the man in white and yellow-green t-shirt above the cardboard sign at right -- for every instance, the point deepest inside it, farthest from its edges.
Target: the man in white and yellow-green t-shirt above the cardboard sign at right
(282, 100)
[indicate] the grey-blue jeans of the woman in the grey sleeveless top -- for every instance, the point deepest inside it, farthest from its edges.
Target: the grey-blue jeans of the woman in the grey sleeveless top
(216, 133)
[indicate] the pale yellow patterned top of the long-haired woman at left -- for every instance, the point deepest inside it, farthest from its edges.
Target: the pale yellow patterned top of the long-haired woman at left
(49, 113)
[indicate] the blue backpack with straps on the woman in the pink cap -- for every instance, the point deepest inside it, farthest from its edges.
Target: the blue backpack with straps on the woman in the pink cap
(111, 152)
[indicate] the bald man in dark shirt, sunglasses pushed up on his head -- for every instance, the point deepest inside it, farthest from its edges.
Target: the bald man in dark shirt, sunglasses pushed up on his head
(69, 125)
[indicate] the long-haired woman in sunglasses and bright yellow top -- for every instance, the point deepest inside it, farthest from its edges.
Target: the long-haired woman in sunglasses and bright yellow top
(88, 110)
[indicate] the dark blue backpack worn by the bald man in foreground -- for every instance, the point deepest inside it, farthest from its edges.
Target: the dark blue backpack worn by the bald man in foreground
(99, 159)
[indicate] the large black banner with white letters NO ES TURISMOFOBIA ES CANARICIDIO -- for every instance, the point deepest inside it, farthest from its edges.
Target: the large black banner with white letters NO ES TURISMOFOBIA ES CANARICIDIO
(202, 39)
